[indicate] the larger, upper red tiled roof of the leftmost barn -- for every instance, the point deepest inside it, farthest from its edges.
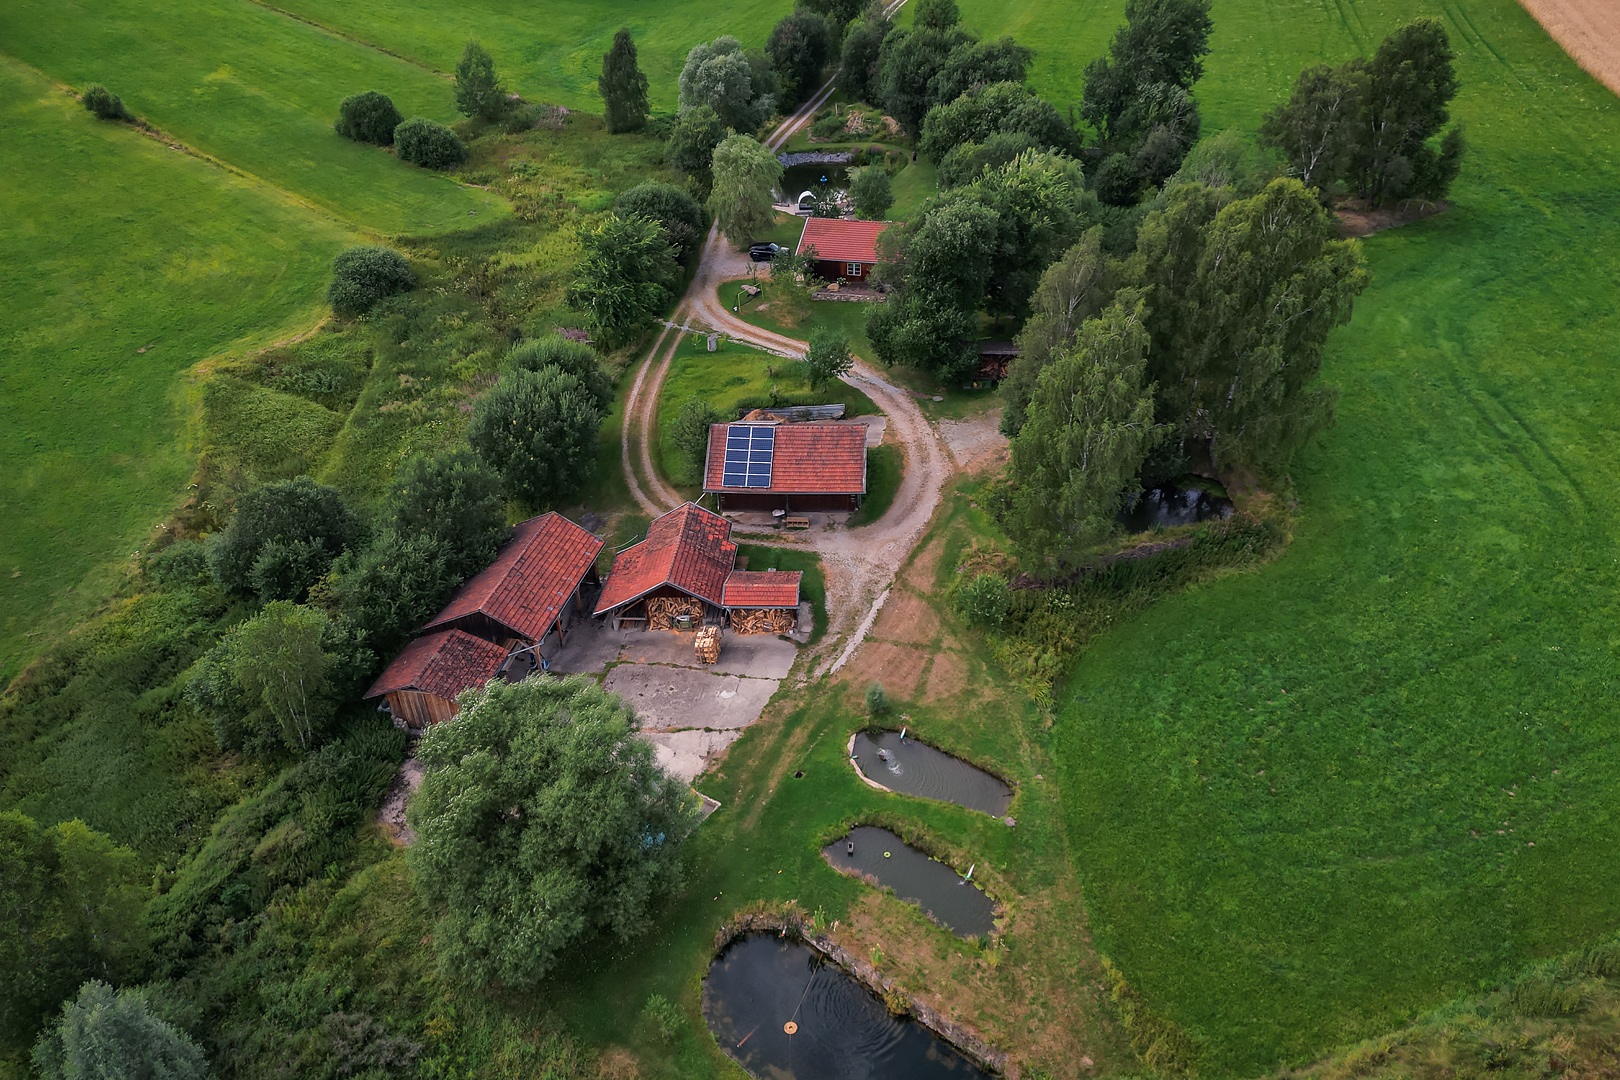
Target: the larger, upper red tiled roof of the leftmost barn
(531, 580)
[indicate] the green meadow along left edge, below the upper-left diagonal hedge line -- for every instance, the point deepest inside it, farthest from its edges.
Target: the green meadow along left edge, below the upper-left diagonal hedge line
(122, 263)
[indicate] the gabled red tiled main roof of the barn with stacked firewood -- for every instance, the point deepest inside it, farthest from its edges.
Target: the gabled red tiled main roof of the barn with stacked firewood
(688, 548)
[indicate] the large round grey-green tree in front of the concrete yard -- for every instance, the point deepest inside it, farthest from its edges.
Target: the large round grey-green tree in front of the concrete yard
(542, 822)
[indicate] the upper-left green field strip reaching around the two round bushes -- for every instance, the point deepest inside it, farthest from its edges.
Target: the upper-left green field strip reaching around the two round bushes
(258, 91)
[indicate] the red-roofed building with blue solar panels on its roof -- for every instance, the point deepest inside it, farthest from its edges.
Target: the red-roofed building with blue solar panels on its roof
(795, 469)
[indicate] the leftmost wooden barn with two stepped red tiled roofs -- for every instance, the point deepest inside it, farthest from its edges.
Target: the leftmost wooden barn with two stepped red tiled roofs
(495, 621)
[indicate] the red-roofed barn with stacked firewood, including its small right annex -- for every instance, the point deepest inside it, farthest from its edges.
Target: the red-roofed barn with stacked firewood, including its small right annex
(684, 577)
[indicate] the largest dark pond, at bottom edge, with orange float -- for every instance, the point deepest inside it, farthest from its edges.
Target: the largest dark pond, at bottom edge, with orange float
(780, 1010)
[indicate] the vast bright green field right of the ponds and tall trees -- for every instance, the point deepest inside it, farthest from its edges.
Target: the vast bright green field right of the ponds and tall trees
(1311, 804)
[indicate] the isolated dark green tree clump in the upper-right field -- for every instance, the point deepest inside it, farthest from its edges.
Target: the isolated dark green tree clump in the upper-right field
(1371, 125)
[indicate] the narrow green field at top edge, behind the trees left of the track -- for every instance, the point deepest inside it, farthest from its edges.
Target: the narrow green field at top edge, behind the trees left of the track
(553, 54)
